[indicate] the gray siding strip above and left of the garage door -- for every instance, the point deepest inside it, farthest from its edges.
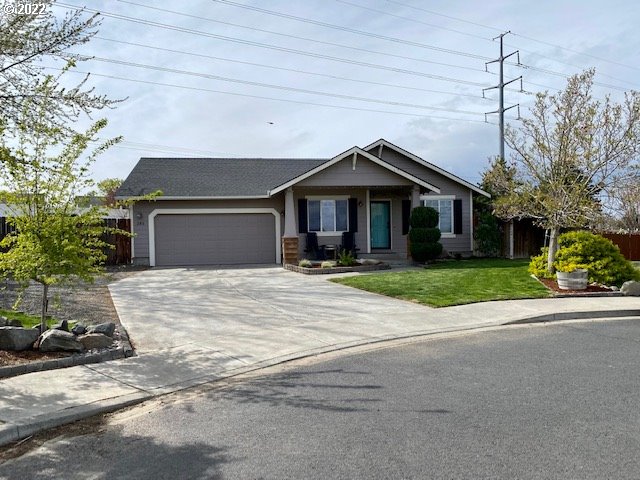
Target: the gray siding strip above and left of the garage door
(141, 225)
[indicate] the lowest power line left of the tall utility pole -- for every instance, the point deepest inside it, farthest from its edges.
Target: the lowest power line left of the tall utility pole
(261, 97)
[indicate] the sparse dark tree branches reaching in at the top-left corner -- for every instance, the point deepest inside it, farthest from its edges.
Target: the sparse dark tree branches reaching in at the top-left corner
(27, 40)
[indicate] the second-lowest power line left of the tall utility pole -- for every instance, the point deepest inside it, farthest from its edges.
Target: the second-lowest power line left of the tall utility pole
(280, 87)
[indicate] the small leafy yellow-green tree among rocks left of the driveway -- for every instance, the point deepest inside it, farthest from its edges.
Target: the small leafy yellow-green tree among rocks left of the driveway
(56, 238)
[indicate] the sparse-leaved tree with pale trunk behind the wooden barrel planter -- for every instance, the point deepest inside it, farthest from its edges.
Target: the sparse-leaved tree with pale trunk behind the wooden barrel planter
(570, 152)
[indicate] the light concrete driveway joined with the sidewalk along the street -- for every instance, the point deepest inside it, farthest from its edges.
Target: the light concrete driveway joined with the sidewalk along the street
(222, 323)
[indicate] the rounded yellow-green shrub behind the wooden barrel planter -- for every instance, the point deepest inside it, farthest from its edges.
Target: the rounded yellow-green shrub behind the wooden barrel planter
(598, 255)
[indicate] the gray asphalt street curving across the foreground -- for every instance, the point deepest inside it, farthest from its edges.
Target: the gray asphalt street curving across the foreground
(557, 400)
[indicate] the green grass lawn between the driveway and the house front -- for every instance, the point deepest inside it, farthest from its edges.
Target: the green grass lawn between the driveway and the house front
(455, 282)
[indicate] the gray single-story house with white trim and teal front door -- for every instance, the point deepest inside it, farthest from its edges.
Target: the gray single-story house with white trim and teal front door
(258, 210)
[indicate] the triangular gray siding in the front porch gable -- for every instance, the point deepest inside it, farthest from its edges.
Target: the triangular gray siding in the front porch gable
(366, 174)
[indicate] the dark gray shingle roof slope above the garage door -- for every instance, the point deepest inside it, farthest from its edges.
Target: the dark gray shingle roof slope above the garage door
(213, 177)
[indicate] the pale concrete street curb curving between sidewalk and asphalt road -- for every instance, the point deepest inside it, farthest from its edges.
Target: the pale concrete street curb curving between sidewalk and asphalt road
(12, 433)
